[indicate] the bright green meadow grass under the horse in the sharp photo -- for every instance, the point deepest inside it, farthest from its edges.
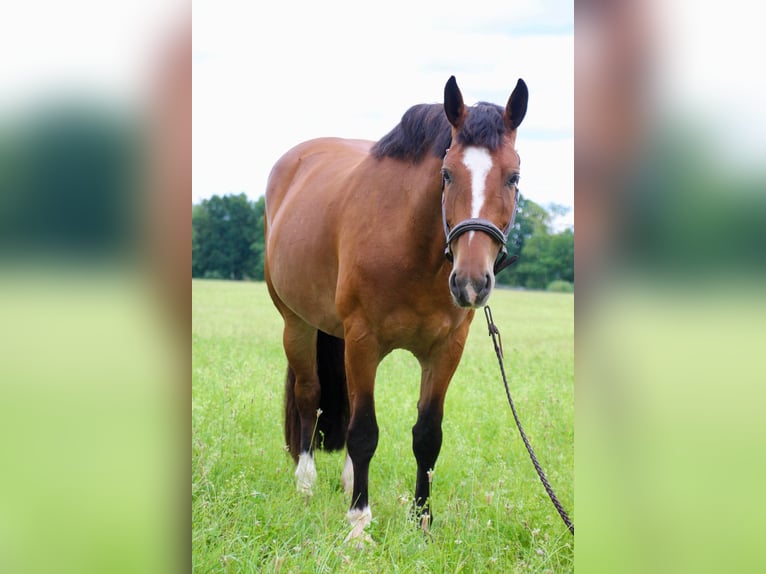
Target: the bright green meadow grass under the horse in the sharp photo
(491, 512)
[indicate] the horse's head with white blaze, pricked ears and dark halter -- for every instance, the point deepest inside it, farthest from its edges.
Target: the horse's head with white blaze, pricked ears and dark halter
(480, 179)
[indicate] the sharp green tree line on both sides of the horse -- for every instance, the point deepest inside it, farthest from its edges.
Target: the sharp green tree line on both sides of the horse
(228, 243)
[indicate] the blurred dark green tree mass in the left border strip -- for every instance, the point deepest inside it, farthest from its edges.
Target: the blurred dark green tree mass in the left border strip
(69, 182)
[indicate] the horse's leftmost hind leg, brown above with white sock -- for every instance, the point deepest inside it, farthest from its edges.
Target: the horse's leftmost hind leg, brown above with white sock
(299, 340)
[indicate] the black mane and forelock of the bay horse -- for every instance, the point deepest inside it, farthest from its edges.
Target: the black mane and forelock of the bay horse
(424, 128)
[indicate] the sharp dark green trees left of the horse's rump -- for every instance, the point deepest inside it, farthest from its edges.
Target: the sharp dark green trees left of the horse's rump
(227, 238)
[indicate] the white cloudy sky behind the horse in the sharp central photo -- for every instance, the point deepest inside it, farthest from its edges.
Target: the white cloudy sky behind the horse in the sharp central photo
(267, 77)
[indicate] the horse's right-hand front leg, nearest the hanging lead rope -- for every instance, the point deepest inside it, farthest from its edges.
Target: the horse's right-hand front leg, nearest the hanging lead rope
(437, 372)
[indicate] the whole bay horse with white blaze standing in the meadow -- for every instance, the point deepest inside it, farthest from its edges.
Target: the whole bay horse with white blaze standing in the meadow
(376, 246)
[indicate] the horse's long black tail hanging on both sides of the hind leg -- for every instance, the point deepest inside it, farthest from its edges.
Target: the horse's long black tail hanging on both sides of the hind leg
(333, 421)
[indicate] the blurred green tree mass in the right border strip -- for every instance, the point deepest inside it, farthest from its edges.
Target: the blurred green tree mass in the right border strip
(690, 210)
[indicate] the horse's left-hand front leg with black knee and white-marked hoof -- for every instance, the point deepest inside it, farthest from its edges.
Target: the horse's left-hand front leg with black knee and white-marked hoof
(362, 358)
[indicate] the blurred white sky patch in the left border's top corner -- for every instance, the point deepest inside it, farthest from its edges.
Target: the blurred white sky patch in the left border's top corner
(90, 49)
